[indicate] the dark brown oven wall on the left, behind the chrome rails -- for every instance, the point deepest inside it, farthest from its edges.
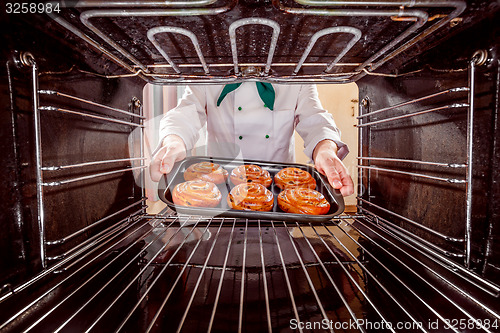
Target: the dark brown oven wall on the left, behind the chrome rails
(64, 64)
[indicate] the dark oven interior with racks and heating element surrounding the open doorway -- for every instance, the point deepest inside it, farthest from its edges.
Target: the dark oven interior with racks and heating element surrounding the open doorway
(82, 253)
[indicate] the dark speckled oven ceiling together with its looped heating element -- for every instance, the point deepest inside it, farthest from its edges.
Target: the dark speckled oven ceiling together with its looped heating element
(201, 41)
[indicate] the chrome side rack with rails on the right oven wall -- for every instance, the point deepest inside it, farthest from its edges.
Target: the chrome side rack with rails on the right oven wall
(367, 164)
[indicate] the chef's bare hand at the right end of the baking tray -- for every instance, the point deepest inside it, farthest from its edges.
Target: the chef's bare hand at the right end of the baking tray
(327, 162)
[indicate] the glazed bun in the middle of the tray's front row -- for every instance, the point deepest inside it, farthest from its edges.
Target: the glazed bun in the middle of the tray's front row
(251, 196)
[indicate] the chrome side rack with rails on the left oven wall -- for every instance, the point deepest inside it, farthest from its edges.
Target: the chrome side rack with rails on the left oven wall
(136, 164)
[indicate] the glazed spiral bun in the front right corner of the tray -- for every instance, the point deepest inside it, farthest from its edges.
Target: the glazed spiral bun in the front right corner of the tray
(303, 200)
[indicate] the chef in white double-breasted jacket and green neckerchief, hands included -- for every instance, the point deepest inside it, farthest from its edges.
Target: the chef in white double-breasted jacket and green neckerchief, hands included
(257, 120)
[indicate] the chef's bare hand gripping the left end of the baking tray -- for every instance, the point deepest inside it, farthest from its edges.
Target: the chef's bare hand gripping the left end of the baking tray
(172, 150)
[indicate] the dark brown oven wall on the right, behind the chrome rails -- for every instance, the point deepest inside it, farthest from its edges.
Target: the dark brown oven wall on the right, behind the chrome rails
(439, 137)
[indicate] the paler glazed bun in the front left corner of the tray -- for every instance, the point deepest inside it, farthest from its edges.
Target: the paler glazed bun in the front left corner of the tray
(196, 193)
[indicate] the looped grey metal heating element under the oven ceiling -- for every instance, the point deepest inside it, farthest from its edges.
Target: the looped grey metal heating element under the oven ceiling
(398, 12)
